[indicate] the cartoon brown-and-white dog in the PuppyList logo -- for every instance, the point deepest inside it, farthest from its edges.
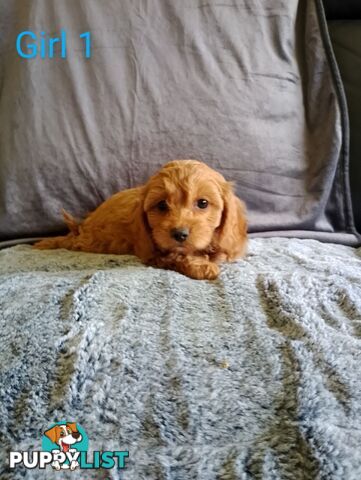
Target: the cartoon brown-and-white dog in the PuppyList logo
(65, 436)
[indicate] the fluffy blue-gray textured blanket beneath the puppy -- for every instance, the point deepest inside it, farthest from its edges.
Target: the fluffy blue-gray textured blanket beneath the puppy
(255, 375)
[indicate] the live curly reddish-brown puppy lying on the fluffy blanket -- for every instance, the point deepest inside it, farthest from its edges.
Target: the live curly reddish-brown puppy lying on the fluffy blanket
(185, 218)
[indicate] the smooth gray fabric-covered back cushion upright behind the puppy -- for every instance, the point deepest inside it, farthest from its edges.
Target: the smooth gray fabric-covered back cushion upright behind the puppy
(245, 86)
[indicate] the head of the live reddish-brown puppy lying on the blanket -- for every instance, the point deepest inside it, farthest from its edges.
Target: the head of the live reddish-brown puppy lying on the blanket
(189, 207)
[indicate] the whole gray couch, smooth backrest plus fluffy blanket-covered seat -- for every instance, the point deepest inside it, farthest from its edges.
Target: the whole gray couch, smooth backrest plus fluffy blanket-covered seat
(253, 375)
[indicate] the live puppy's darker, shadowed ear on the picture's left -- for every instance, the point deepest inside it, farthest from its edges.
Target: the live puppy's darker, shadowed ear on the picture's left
(144, 247)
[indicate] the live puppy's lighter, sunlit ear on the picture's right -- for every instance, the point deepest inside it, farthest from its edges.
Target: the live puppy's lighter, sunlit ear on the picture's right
(232, 232)
